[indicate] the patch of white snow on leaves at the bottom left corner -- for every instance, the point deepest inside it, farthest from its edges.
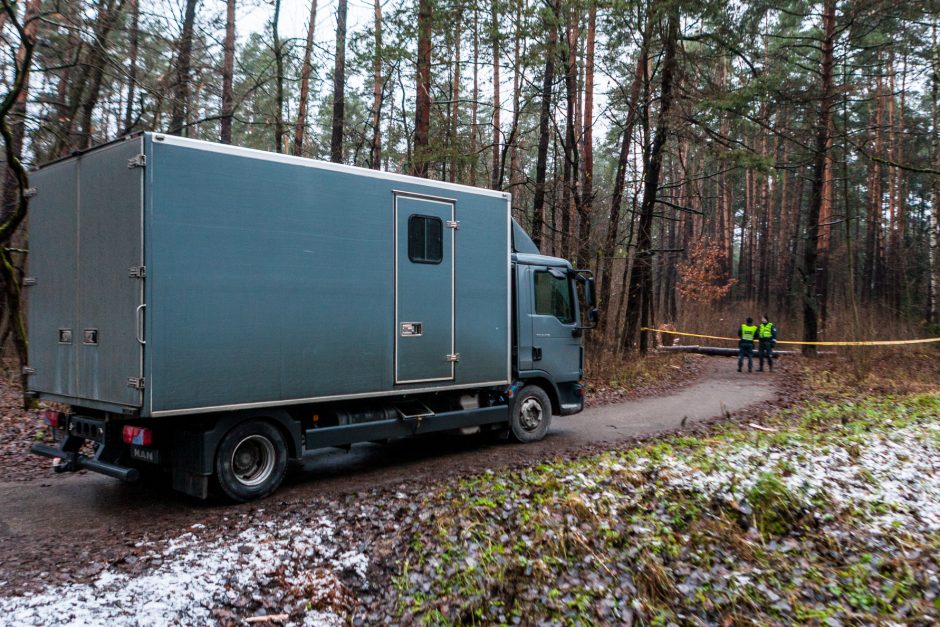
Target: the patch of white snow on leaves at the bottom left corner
(195, 577)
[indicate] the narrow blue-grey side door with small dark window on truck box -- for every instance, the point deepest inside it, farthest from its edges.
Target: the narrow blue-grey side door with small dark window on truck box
(424, 289)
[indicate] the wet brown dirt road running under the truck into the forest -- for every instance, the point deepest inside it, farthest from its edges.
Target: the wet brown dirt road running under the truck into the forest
(75, 525)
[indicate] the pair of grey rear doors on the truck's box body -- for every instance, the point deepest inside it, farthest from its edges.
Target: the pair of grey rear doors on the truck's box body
(86, 308)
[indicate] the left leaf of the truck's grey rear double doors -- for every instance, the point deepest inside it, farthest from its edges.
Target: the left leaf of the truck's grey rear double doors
(52, 311)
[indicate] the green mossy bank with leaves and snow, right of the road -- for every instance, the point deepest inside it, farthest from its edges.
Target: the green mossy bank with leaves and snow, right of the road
(793, 523)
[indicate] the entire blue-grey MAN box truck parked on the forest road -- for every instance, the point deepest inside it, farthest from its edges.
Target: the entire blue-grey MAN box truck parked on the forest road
(218, 312)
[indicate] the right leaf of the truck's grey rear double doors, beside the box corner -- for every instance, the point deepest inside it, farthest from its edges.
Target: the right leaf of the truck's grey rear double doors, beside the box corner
(110, 243)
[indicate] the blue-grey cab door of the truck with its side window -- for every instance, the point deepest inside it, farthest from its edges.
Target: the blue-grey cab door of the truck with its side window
(556, 339)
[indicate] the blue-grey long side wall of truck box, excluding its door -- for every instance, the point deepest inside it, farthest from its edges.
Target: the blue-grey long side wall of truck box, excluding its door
(270, 280)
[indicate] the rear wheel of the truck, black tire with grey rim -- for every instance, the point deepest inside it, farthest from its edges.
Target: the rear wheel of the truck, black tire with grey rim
(251, 461)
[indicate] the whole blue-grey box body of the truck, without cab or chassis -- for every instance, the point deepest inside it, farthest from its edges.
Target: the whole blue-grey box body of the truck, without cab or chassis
(174, 276)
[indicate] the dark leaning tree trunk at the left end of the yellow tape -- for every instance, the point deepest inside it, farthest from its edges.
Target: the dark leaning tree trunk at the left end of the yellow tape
(640, 293)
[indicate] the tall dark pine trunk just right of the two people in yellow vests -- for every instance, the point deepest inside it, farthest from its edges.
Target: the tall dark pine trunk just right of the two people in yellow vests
(823, 146)
